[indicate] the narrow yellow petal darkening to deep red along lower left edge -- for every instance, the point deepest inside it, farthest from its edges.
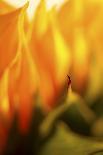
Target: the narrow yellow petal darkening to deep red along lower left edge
(4, 109)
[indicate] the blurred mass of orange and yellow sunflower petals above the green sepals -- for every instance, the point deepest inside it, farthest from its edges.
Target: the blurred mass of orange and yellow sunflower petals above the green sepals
(37, 56)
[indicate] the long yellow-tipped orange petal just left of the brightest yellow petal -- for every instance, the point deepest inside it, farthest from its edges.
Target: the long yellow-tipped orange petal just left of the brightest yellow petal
(43, 52)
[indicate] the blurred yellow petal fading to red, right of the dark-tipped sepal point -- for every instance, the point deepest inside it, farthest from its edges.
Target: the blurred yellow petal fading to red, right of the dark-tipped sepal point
(81, 60)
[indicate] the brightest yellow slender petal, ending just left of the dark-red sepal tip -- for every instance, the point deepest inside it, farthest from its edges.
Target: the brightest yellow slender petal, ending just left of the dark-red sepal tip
(62, 51)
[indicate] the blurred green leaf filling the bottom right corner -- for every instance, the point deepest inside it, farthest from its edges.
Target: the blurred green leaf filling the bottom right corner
(65, 142)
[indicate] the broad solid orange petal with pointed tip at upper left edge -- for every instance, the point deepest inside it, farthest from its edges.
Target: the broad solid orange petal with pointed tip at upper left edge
(9, 40)
